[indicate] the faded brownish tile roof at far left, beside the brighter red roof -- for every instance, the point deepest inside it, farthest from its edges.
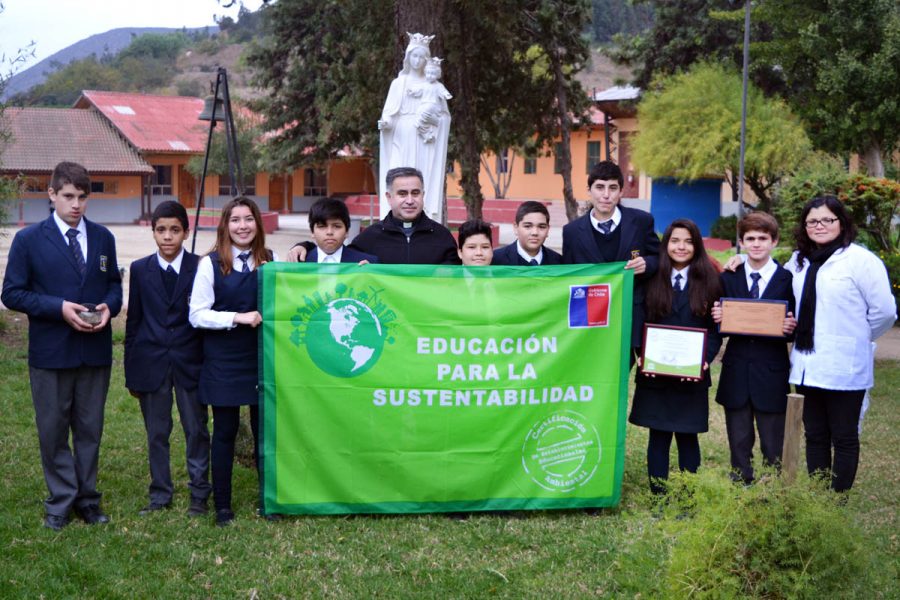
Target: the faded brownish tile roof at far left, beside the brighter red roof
(43, 137)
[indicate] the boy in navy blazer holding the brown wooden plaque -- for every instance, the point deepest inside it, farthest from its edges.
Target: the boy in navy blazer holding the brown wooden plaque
(754, 380)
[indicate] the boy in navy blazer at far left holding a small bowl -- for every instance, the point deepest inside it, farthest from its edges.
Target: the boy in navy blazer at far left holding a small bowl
(55, 268)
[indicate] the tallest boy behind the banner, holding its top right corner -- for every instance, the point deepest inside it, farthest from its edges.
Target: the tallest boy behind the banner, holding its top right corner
(613, 233)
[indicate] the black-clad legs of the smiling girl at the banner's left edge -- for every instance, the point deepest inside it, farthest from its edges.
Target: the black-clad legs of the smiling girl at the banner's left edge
(226, 420)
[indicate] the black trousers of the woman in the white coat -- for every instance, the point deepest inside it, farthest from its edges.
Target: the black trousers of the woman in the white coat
(831, 420)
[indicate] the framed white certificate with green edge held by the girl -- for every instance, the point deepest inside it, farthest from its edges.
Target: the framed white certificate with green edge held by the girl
(673, 351)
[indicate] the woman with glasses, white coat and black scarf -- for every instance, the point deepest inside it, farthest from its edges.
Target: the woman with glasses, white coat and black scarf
(844, 303)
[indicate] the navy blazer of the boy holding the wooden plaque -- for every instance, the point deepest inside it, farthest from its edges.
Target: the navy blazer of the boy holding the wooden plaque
(755, 369)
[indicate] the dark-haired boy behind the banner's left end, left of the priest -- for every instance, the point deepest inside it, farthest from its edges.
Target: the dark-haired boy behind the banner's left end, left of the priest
(329, 222)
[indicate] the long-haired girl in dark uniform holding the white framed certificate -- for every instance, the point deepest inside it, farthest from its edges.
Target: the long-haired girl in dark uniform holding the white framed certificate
(680, 293)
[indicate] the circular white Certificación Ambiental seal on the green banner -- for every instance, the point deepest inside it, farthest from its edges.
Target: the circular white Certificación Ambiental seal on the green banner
(561, 452)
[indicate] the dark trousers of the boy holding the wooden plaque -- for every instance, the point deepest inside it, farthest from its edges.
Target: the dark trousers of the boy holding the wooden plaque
(739, 425)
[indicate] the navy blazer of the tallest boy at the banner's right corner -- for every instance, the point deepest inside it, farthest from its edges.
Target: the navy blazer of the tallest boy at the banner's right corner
(638, 238)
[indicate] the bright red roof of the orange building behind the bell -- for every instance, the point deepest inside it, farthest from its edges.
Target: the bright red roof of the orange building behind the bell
(152, 123)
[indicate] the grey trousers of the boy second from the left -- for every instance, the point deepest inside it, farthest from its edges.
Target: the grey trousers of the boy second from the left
(156, 407)
